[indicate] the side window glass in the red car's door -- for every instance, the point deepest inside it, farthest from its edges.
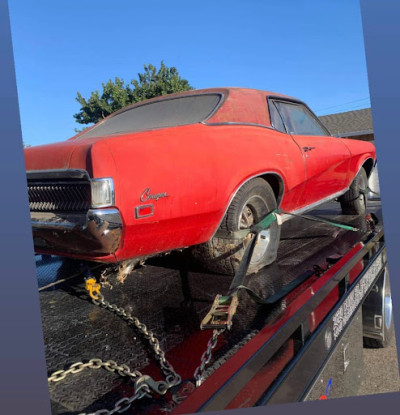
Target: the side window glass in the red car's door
(299, 119)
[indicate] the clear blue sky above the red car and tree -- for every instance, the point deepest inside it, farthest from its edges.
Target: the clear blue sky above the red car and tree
(310, 49)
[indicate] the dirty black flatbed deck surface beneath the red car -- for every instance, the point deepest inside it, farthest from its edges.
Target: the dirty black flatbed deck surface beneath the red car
(170, 295)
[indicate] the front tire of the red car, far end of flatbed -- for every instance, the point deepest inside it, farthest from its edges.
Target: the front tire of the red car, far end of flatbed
(354, 201)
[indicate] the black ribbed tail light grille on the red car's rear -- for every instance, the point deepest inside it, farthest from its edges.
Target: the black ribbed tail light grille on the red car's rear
(59, 196)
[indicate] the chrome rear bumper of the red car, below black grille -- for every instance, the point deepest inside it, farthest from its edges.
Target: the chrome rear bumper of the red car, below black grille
(96, 233)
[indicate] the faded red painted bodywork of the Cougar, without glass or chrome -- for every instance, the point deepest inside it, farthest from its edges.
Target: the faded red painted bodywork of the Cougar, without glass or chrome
(201, 167)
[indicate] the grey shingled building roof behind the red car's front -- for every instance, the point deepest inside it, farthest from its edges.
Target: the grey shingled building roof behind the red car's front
(350, 123)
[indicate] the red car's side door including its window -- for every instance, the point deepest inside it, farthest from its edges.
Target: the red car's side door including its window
(327, 159)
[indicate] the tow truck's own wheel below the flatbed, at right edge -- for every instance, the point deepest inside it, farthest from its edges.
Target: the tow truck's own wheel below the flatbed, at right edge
(377, 314)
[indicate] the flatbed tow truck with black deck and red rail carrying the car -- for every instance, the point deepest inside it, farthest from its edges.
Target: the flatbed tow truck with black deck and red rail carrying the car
(305, 344)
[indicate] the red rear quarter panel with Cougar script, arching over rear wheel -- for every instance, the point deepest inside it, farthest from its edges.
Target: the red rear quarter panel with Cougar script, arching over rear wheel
(199, 167)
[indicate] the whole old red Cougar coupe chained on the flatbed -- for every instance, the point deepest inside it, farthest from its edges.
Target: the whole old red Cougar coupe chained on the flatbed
(180, 170)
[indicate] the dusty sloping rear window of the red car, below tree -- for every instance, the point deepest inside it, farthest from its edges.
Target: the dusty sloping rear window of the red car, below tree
(164, 113)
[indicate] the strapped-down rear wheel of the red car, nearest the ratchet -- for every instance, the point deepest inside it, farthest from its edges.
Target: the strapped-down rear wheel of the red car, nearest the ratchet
(254, 200)
